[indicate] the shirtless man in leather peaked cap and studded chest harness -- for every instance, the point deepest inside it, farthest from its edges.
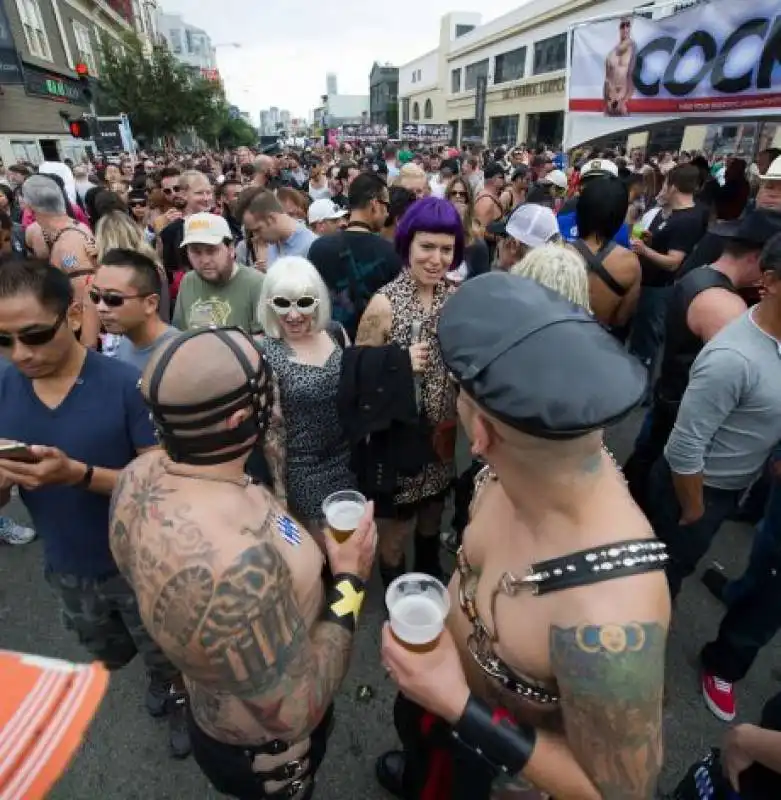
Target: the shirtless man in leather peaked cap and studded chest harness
(549, 670)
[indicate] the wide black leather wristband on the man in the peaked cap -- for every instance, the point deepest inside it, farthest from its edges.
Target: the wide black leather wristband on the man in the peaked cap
(495, 737)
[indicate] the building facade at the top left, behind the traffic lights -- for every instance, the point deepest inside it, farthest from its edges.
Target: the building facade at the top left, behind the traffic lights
(50, 38)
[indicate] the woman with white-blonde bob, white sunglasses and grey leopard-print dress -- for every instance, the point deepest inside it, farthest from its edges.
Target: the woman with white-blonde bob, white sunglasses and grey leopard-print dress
(305, 352)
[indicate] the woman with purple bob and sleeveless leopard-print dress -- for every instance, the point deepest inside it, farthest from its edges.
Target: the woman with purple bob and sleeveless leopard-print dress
(430, 240)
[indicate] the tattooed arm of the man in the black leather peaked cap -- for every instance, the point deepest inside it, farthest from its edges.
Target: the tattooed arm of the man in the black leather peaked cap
(611, 679)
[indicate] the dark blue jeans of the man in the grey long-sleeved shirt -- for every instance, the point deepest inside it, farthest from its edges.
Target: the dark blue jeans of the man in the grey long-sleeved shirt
(686, 544)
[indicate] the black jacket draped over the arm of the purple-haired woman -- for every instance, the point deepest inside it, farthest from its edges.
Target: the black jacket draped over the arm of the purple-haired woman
(376, 404)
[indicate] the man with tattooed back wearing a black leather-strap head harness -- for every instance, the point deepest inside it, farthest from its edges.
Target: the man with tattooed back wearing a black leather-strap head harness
(229, 585)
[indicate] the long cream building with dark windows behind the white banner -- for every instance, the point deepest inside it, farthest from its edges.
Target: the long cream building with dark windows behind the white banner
(523, 56)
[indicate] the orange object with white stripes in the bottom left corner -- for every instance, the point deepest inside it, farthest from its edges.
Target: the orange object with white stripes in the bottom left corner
(46, 706)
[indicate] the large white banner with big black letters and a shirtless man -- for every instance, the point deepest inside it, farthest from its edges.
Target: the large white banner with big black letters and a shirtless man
(720, 61)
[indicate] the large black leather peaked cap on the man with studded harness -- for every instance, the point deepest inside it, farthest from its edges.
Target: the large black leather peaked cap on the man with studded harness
(536, 361)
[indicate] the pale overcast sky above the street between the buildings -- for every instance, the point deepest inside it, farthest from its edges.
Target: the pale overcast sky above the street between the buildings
(287, 46)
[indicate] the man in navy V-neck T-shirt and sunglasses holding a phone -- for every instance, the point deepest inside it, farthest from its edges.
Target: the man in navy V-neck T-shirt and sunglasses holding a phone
(71, 420)
